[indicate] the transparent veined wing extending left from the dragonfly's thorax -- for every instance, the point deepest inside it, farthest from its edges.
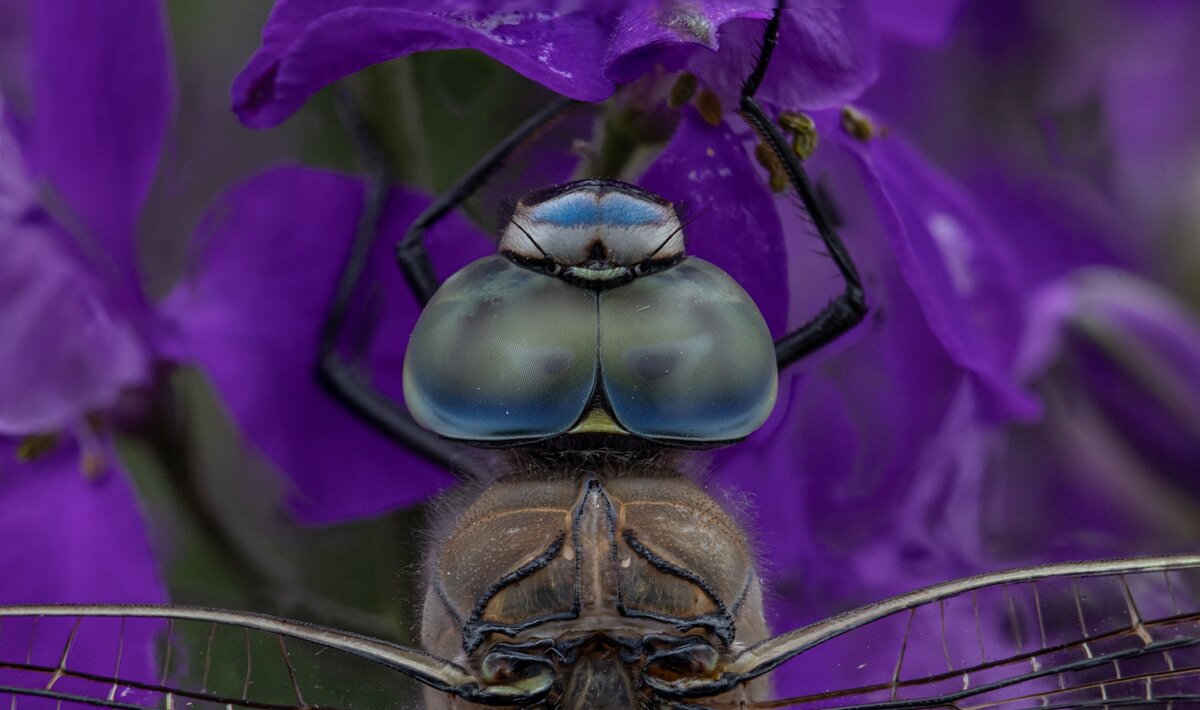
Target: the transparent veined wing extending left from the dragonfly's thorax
(139, 658)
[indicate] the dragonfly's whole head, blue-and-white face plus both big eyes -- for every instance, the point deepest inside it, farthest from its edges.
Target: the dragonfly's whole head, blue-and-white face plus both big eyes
(591, 320)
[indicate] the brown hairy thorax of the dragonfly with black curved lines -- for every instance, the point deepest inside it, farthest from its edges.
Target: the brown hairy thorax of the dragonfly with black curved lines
(611, 576)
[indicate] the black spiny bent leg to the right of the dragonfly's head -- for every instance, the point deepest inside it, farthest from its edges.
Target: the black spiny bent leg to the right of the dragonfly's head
(848, 309)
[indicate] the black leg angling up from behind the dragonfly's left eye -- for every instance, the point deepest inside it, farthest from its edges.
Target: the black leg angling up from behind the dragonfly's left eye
(411, 254)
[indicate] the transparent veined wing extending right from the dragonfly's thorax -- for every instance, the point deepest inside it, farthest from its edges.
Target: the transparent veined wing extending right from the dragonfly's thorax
(1090, 635)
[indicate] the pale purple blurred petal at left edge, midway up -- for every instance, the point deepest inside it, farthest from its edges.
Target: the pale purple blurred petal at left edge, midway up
(67, 350)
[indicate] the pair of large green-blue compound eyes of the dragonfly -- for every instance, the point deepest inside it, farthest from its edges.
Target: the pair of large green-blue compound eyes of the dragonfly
(505, 353)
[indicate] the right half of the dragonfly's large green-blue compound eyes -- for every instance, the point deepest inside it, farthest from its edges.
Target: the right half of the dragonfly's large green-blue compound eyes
(686, 356)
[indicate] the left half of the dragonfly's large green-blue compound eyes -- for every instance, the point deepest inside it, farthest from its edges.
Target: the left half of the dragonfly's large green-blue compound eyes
(502, 353)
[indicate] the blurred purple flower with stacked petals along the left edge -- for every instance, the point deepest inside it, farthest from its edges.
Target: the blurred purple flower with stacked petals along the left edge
(75, 321)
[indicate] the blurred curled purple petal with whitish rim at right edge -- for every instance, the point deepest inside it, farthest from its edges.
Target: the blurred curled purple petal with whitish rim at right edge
(1111, 471)
